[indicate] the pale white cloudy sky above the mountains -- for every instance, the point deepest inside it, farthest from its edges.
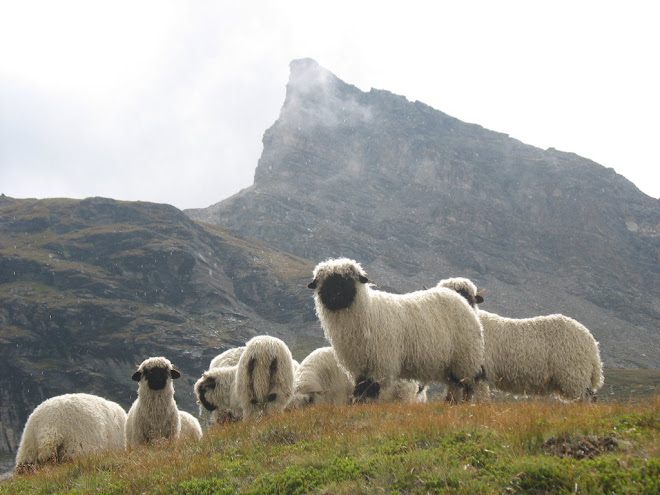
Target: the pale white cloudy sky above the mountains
(167, 101)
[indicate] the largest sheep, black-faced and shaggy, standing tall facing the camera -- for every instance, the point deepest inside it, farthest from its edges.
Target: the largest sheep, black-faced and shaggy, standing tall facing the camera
(429, 335)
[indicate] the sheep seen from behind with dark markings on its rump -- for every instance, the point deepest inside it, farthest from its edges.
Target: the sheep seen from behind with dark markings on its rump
(264, 378)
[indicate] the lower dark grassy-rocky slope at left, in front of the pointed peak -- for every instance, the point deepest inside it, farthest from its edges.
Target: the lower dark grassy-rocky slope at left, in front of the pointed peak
(88, 289)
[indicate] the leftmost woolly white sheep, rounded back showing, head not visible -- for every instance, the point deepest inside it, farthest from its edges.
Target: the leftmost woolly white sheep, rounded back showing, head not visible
(69, 426)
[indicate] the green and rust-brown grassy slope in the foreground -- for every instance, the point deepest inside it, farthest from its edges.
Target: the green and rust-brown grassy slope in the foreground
(526, 447)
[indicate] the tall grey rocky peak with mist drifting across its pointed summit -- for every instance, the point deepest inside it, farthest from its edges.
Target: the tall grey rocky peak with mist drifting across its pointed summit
(416, 195)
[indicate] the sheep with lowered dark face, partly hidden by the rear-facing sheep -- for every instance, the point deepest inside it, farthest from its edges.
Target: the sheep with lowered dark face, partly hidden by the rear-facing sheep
(215, 393)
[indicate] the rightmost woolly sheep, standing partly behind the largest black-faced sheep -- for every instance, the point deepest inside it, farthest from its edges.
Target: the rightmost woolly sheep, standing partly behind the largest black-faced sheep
(543, 355)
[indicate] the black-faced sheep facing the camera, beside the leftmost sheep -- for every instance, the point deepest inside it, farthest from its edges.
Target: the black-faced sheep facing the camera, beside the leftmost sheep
(154, 414)
